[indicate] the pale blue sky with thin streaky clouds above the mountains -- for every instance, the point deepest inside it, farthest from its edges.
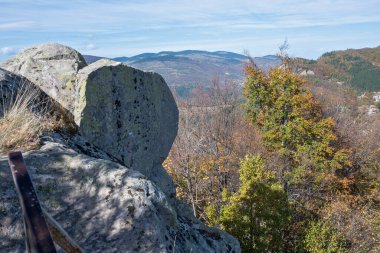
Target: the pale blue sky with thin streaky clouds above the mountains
(125, 28)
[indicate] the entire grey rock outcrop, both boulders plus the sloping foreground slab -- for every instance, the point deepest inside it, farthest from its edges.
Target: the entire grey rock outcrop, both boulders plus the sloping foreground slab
(105, 184)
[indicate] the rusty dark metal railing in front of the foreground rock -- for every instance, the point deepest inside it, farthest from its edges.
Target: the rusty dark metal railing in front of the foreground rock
(40, 228)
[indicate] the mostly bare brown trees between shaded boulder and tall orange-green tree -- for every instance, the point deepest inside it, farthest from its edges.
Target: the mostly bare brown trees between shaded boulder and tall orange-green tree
(211, 140)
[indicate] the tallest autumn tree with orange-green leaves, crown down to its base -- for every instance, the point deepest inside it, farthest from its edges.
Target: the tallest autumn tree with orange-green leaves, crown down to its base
(293, 127)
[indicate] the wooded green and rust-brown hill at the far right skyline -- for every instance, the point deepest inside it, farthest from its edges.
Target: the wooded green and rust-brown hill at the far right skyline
(359, 68)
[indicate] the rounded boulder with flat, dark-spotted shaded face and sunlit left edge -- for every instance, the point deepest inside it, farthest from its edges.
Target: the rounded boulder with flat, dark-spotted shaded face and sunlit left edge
(128, 113)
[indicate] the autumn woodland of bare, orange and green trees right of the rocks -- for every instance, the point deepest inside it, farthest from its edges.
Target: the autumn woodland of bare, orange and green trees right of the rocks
(290, 167)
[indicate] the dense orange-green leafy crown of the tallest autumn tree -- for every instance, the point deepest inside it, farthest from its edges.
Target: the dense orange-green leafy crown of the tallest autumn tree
(292, 125)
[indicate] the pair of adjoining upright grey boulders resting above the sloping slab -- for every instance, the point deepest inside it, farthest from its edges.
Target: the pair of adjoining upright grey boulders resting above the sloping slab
(128, 113)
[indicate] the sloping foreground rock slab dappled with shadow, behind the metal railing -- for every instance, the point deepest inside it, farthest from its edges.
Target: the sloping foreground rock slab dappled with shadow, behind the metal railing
(103, 206)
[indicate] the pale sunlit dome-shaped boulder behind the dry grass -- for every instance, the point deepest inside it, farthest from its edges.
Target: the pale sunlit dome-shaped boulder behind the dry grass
(53, 67)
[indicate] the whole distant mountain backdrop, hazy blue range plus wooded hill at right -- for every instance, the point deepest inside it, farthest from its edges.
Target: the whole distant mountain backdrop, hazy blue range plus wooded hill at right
(359, 68)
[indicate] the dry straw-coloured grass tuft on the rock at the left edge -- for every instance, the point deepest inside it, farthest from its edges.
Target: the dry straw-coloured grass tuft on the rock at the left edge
(23, 118)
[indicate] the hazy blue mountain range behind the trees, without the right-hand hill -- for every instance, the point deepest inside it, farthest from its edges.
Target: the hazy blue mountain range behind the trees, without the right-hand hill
(193, 67)
